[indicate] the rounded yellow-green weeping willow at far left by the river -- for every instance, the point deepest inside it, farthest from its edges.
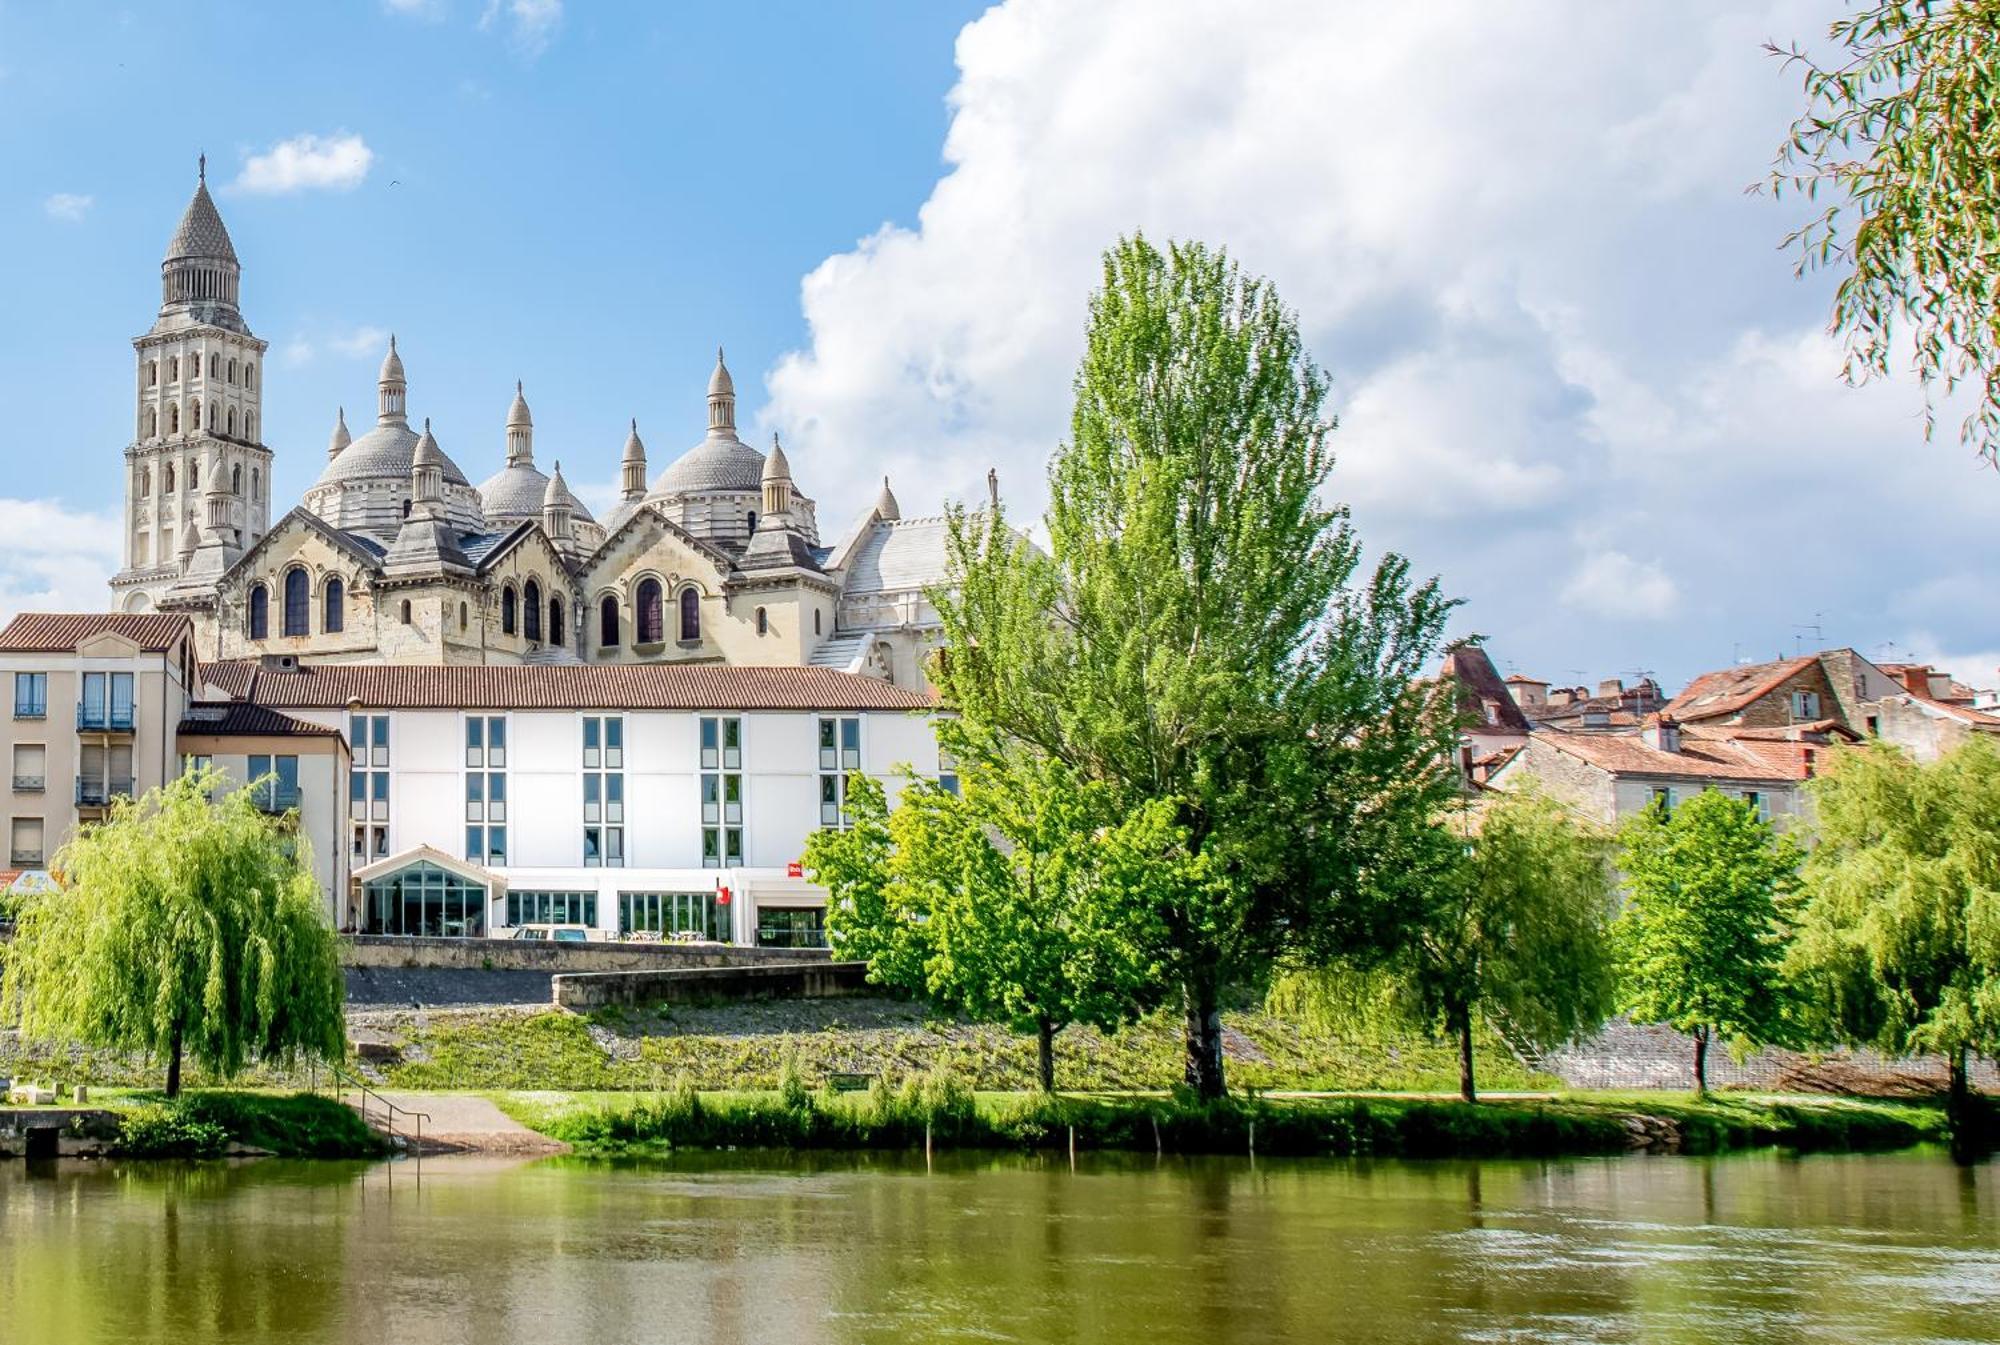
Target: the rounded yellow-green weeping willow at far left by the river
(185, 928)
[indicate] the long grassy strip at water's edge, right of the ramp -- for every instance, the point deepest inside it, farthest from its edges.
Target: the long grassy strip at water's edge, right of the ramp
(899, 1118)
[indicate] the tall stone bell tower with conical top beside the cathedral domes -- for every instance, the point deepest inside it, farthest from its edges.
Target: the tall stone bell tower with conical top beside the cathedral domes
(197, 459)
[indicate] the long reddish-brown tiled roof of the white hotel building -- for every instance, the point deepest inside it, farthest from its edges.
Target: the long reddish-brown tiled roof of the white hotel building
(559, 688)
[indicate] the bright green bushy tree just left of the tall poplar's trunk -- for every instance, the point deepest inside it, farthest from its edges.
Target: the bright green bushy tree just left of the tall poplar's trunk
(1025, 898)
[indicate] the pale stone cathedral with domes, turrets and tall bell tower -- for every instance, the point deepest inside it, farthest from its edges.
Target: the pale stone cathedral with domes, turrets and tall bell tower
(397, 557)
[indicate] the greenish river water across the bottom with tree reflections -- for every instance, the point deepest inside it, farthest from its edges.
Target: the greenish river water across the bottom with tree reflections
(733, 1248)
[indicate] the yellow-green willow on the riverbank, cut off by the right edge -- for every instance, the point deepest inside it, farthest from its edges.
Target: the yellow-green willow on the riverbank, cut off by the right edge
(1899, 926)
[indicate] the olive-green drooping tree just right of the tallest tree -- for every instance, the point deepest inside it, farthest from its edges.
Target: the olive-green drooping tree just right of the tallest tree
(1517, 928)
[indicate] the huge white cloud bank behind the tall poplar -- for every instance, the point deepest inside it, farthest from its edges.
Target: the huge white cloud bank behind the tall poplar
(1567, 353)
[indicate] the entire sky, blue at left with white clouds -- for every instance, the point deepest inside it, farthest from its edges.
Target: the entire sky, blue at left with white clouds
(1575, 375)
